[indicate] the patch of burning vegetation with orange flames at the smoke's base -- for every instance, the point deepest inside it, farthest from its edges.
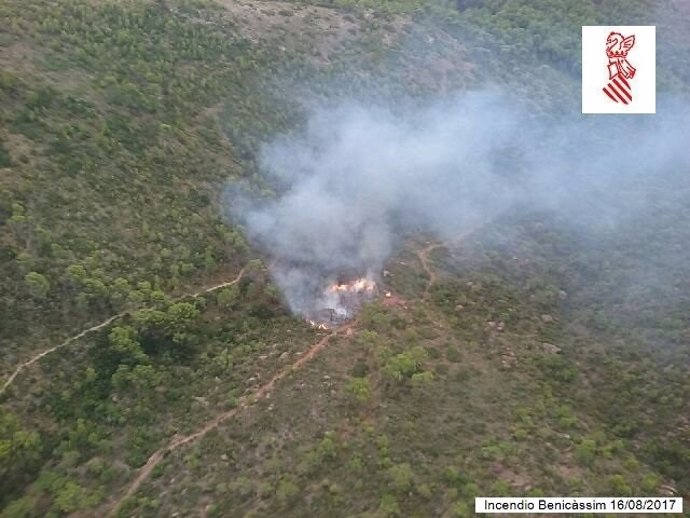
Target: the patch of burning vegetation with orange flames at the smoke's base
(340, 301)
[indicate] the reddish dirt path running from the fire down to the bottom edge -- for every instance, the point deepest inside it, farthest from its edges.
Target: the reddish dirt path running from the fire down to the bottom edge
(175, 443)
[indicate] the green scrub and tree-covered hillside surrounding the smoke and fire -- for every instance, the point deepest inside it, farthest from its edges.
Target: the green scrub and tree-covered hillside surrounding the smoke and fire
(510, 367)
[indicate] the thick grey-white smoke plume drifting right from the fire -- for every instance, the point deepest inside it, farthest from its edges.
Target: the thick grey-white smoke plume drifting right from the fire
(359, 177)
